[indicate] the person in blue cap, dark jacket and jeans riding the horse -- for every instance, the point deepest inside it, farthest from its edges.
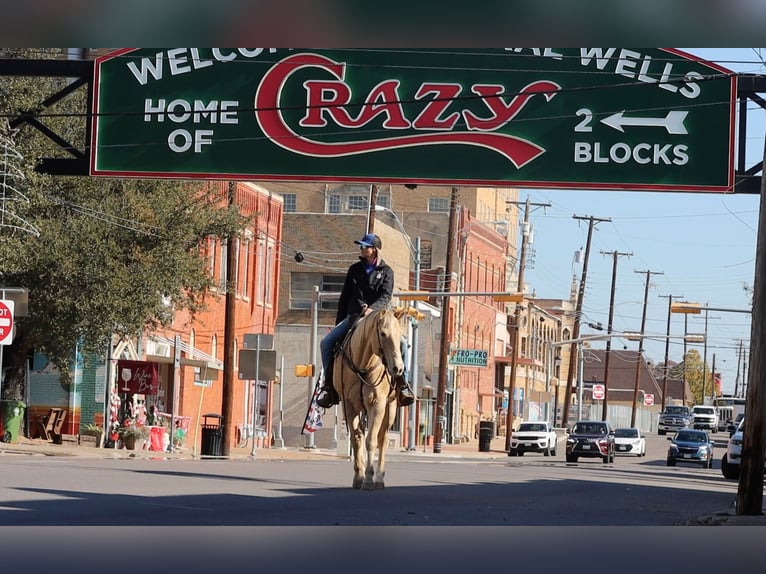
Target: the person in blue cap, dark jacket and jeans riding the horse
(368, 287)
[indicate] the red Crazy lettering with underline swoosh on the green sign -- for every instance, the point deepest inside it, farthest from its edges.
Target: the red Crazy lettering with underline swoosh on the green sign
(326, 100)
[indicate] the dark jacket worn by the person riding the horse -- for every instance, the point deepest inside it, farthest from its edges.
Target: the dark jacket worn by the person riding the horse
(360, 289)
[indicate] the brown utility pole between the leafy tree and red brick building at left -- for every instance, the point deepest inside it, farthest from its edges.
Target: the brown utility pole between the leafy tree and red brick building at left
(227, 401)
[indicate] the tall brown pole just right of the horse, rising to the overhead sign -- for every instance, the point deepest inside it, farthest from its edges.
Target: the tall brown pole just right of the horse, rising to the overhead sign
(440, 417)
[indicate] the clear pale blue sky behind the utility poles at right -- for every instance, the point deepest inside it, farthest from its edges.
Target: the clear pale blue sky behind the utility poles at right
(700, 246)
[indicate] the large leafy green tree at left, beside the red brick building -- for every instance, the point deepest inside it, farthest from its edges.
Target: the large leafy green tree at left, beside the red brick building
(111, 254)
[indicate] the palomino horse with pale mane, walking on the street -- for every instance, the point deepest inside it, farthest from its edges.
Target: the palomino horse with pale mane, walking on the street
(363, 375)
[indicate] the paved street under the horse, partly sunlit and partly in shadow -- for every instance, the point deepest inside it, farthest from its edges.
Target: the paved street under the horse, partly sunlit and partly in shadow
(470, 489)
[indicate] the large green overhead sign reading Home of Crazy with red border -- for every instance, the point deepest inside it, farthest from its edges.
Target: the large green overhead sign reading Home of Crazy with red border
(586, 118)
